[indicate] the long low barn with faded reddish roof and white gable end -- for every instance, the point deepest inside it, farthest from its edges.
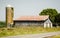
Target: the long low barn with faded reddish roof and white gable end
(42, 20)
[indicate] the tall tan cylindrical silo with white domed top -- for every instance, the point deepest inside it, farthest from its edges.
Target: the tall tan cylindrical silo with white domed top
(9, 15)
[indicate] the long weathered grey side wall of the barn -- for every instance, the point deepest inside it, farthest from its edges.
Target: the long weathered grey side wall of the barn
(31, 23)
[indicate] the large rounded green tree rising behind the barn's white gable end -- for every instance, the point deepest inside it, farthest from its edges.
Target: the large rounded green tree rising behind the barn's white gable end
(51, 12)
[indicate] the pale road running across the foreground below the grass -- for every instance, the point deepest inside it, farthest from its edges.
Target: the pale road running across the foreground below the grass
(42, 35)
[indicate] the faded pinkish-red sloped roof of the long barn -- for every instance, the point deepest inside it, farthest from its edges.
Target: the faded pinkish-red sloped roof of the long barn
(30, 18)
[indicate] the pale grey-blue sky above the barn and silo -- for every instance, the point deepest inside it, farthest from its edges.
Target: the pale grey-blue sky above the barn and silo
(27, 7)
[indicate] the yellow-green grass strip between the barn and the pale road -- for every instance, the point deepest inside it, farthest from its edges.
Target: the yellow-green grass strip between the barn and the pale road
(25, 30)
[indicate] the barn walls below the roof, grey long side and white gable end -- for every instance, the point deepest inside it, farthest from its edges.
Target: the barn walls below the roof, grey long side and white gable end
(46, 23)
